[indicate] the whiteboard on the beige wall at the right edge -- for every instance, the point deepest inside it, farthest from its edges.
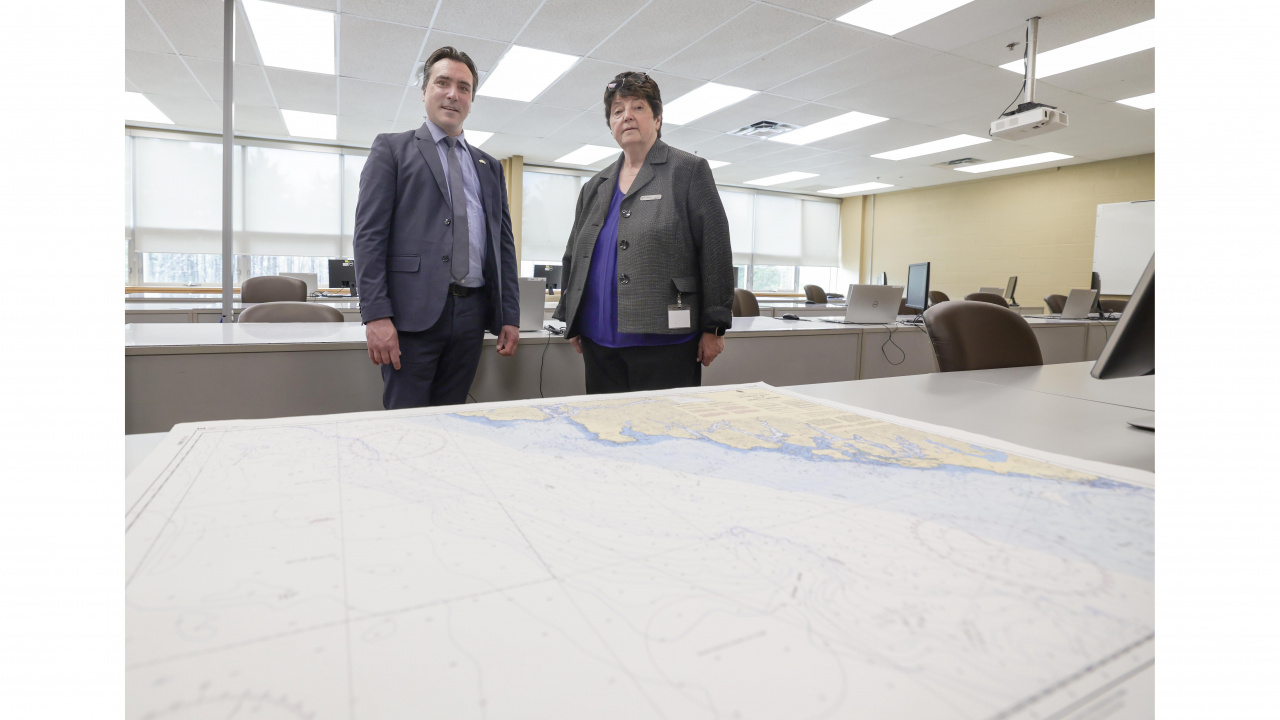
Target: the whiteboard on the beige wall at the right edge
(1124, 240)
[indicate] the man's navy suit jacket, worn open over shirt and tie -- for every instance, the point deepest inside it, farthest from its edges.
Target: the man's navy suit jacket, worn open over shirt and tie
(403, 243)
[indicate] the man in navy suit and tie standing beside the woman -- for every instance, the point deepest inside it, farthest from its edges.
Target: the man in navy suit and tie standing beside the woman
(436, 259)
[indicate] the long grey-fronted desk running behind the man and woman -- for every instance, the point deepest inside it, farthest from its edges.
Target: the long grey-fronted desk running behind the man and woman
(177, 373)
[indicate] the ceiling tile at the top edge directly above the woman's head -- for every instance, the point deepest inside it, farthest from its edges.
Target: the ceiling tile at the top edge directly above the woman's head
(664, 29)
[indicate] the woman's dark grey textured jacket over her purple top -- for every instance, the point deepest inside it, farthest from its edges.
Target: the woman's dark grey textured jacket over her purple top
(673, 239)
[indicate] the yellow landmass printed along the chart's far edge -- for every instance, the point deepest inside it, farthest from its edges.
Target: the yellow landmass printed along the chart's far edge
(758, 418)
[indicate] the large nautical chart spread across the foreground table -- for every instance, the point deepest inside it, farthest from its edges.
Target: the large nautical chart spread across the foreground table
(710, 553)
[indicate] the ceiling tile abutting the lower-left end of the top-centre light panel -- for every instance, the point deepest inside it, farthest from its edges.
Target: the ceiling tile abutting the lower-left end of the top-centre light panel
(810, 52)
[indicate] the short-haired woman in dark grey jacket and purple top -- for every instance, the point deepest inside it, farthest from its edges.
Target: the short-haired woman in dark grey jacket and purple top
(648, 268)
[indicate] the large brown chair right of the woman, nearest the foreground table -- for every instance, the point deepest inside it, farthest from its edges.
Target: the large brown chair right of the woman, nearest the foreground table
(980, 336)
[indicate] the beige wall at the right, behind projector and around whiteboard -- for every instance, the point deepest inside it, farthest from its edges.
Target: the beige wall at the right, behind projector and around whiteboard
(1037, 226)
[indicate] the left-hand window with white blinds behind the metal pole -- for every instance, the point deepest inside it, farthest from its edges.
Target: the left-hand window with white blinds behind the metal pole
(292, 211)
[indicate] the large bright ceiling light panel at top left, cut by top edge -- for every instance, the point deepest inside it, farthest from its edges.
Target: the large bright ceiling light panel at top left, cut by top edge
(298, 39)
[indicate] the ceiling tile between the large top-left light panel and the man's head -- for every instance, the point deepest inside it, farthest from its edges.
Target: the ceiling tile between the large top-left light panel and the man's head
(378, 51)
